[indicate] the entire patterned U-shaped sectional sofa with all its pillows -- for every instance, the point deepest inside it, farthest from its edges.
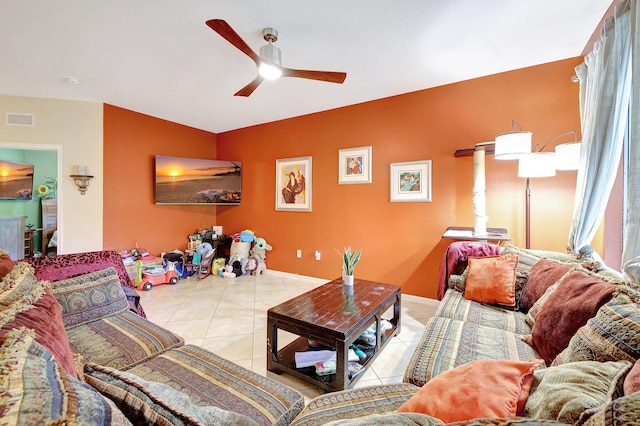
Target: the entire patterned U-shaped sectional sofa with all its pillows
(523, 337)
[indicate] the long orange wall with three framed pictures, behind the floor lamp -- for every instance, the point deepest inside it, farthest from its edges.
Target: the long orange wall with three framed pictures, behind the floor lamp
(401, 242)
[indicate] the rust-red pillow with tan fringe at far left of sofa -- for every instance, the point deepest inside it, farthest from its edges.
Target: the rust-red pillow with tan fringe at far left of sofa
(27, 302)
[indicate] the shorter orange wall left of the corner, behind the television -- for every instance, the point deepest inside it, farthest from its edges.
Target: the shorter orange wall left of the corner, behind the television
(131, 141)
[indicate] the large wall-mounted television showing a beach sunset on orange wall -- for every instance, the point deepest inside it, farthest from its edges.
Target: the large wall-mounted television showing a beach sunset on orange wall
(180, 180)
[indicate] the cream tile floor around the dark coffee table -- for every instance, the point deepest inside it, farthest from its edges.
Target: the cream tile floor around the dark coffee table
(229, 317)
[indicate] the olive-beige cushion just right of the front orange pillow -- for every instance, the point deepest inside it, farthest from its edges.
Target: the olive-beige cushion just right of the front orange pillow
(566, 392)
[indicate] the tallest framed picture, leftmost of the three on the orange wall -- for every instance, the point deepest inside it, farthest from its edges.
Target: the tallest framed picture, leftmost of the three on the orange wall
(293, 184)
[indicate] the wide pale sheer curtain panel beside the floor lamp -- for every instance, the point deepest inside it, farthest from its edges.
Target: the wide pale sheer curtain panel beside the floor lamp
(605, 87)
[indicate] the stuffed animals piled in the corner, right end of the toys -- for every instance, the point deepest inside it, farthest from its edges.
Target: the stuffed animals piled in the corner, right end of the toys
(247, 256)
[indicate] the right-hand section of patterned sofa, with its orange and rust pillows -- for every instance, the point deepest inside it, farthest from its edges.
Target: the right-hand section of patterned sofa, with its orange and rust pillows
(524, 337)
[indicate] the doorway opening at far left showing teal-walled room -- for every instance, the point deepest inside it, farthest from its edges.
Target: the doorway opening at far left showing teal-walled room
(35, 168)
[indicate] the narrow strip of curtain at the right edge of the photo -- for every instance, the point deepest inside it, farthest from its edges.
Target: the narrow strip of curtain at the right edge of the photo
(631, 240)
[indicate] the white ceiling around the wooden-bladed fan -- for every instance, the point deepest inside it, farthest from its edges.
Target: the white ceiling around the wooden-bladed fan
(159, 58)
